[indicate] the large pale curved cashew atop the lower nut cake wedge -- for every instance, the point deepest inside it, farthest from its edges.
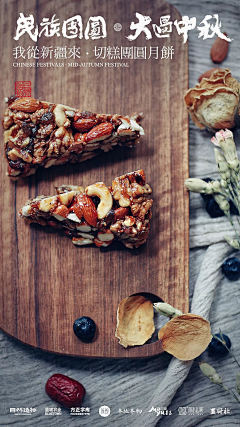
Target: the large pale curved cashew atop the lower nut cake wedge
(100, 190)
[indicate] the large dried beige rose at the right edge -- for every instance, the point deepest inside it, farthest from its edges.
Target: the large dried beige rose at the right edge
(213, 102)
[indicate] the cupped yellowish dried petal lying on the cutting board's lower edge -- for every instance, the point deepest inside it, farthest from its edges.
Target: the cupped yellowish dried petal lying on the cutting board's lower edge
(134, 321)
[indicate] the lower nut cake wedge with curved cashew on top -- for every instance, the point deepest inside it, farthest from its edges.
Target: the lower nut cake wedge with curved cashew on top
(97, 214)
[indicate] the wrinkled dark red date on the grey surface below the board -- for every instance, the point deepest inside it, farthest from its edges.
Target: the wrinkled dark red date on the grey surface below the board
(64, 390)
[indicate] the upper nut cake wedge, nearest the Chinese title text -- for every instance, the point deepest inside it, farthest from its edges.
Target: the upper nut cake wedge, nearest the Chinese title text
(39, 133)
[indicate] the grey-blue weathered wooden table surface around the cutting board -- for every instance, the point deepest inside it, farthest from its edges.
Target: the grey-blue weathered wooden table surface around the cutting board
(129, 384)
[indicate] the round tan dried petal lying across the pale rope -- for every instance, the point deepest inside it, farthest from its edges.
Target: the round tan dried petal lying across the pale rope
(186, 336)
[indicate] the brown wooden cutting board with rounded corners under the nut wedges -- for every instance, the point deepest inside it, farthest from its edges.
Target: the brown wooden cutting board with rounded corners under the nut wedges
(47, 282)
